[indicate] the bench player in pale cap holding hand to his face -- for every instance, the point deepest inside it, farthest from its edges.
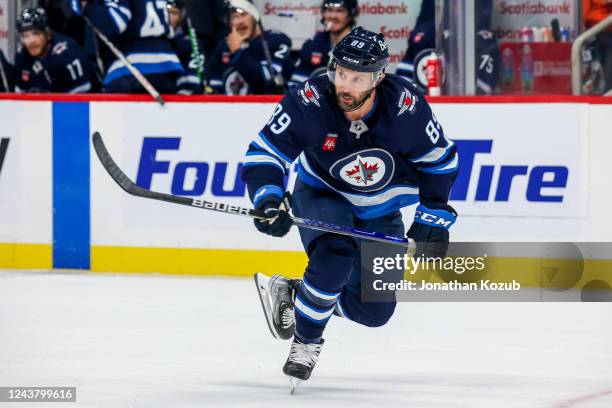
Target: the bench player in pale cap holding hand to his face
(240, 64)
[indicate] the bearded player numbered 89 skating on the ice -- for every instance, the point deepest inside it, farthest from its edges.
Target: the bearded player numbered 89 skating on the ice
(367, 144)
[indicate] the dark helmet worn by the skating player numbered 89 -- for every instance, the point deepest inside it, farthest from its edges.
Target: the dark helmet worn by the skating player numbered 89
(361, 50)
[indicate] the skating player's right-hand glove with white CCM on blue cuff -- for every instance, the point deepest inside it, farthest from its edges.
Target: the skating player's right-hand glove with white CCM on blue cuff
(430, 230)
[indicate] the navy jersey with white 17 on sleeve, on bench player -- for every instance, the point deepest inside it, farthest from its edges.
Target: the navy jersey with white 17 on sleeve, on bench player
(65, 68)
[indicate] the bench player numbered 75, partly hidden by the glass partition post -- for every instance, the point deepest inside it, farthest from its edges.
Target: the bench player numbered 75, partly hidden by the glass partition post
(422, 42)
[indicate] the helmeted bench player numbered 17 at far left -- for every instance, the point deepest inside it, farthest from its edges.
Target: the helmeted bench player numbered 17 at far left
(49, 62)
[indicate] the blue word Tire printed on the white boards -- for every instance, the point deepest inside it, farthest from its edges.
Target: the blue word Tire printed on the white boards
(540, 178)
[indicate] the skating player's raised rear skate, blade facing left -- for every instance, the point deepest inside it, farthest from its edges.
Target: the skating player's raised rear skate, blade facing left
(276, 295)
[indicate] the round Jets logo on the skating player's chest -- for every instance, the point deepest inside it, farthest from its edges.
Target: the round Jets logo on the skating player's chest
(366, 170)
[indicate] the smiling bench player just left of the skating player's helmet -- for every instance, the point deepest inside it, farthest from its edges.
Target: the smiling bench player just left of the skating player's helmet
(338, 17)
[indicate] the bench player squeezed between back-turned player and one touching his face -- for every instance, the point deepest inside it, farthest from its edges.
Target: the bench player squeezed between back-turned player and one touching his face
(190, 82)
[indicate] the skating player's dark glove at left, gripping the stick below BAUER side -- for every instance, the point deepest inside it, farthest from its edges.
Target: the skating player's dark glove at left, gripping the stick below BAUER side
(277, 221)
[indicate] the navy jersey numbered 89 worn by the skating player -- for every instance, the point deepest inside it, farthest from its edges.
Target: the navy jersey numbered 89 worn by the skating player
(397, 155)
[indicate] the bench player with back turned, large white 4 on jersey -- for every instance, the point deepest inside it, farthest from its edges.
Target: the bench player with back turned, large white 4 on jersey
(140, 29)
